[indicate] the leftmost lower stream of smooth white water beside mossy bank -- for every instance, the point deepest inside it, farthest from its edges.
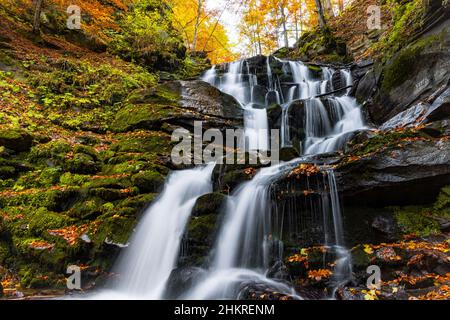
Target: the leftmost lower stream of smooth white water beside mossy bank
(146, 264)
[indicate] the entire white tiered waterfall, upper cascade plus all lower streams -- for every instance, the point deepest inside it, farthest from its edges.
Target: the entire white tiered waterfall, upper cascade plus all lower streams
(247, 244)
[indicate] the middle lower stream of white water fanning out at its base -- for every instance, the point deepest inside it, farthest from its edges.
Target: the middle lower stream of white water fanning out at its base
(244, 246)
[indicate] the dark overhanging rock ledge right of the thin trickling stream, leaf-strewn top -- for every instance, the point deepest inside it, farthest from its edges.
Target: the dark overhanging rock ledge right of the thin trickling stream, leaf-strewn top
(396, 177)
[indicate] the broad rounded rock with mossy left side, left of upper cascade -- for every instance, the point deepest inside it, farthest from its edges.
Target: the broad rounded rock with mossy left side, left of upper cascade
(180, 104)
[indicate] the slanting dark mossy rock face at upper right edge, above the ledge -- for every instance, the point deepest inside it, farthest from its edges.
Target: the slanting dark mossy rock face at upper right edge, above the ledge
(409, 76)
